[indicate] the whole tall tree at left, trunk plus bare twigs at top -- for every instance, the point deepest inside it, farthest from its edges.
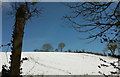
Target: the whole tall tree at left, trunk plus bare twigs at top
(23, 12)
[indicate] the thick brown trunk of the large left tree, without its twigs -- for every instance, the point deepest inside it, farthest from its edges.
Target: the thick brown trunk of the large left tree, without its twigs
(18, 34)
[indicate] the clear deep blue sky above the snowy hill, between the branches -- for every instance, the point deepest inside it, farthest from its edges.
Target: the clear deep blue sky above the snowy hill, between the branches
(48, 28)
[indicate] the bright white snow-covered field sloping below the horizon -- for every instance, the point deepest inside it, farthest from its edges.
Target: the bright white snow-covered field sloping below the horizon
(58, 63)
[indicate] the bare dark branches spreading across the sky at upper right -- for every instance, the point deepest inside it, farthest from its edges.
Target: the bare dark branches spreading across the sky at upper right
(101, 19)
